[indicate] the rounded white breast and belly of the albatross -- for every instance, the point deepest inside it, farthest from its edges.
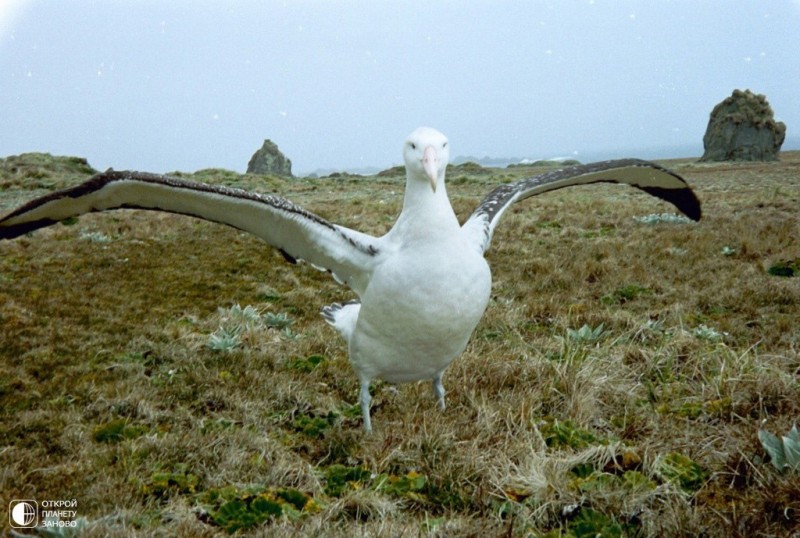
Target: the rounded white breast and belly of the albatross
(419, 311)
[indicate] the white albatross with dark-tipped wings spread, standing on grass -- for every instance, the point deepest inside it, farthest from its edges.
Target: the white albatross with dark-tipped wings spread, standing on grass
(422, 287)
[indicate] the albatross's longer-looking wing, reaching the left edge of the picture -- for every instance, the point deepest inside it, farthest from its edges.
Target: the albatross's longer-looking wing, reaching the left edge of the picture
(297, 233)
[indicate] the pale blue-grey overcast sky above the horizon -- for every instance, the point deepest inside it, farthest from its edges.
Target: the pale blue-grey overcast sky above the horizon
(189, 84)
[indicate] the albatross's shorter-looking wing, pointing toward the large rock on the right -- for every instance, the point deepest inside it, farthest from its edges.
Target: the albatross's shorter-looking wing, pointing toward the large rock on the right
(644, 175)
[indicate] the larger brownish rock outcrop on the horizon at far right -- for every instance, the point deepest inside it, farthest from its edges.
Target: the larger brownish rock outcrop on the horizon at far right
(743, 128)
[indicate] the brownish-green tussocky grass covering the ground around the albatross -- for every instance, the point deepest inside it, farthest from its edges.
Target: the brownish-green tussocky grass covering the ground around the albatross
(616, 384)
